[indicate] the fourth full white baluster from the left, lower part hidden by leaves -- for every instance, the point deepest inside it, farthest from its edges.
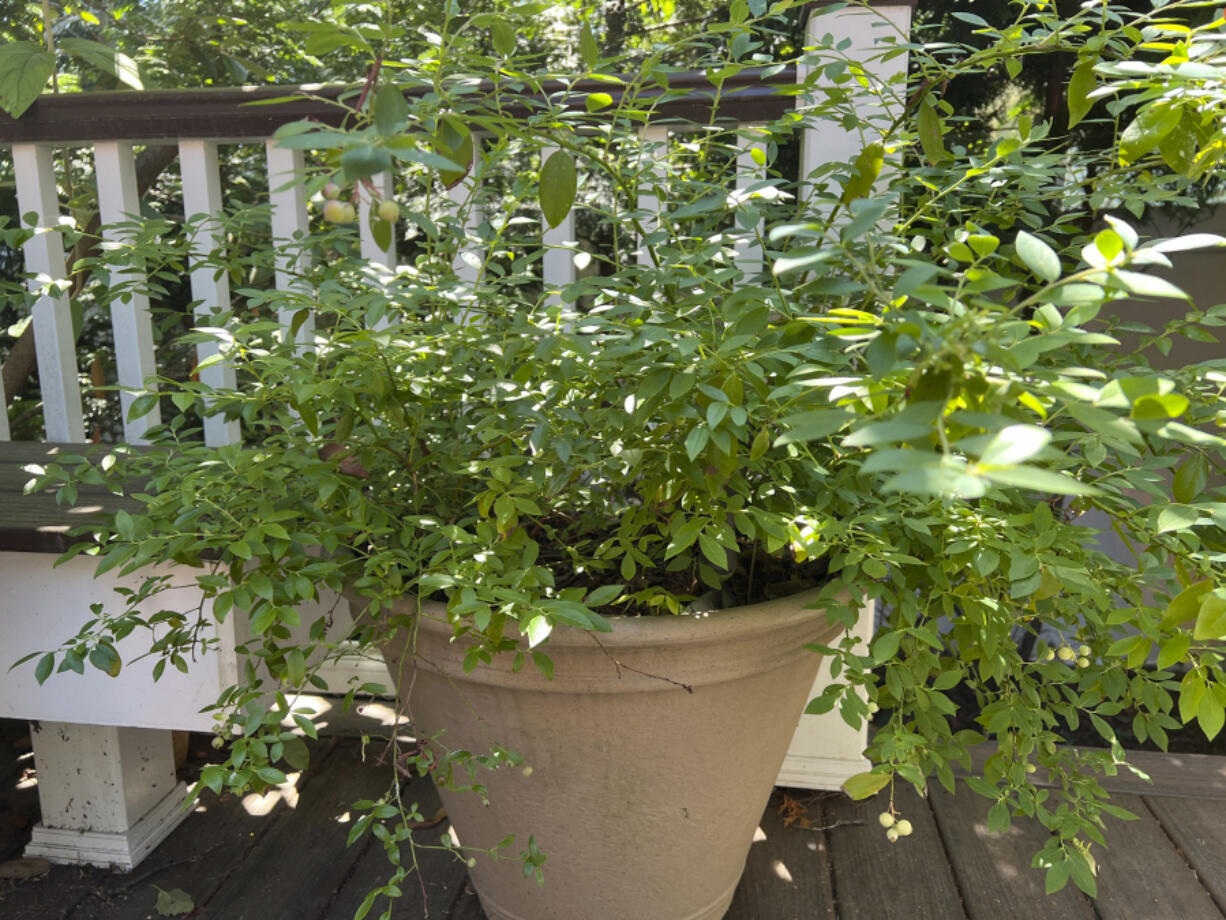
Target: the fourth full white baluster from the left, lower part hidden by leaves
(291, 225)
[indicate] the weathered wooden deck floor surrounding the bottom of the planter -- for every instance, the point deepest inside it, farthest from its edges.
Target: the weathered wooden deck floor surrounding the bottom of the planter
(283, 857)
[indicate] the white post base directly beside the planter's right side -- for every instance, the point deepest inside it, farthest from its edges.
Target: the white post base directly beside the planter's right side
(826, 751)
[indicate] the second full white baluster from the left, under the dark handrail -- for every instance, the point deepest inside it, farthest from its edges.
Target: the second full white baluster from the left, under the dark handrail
(118, 202)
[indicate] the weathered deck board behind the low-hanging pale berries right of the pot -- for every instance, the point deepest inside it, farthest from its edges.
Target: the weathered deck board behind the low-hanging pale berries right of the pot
(875, 879)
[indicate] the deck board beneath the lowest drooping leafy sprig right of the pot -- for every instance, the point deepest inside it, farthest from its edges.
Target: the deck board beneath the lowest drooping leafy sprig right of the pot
(994, 869)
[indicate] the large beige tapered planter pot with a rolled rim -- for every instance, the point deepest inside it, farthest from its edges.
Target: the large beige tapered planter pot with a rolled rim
(654, 751)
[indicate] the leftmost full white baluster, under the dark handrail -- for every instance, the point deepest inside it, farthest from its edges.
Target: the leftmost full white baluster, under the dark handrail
(55, 337)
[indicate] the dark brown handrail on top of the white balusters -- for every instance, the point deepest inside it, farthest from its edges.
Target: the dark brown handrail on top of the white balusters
(165, 116)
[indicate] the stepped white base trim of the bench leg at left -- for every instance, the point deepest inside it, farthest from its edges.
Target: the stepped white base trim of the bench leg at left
(112, 851)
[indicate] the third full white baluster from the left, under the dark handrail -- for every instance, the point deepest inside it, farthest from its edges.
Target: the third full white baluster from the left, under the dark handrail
(210, 289)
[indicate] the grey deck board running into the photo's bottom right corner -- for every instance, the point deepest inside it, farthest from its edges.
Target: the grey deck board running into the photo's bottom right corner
(1137, 853)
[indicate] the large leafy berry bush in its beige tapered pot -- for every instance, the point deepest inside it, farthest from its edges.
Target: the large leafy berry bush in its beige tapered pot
(921, 401)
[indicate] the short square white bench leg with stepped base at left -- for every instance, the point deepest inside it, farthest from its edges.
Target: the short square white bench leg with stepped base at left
(109, 795)
